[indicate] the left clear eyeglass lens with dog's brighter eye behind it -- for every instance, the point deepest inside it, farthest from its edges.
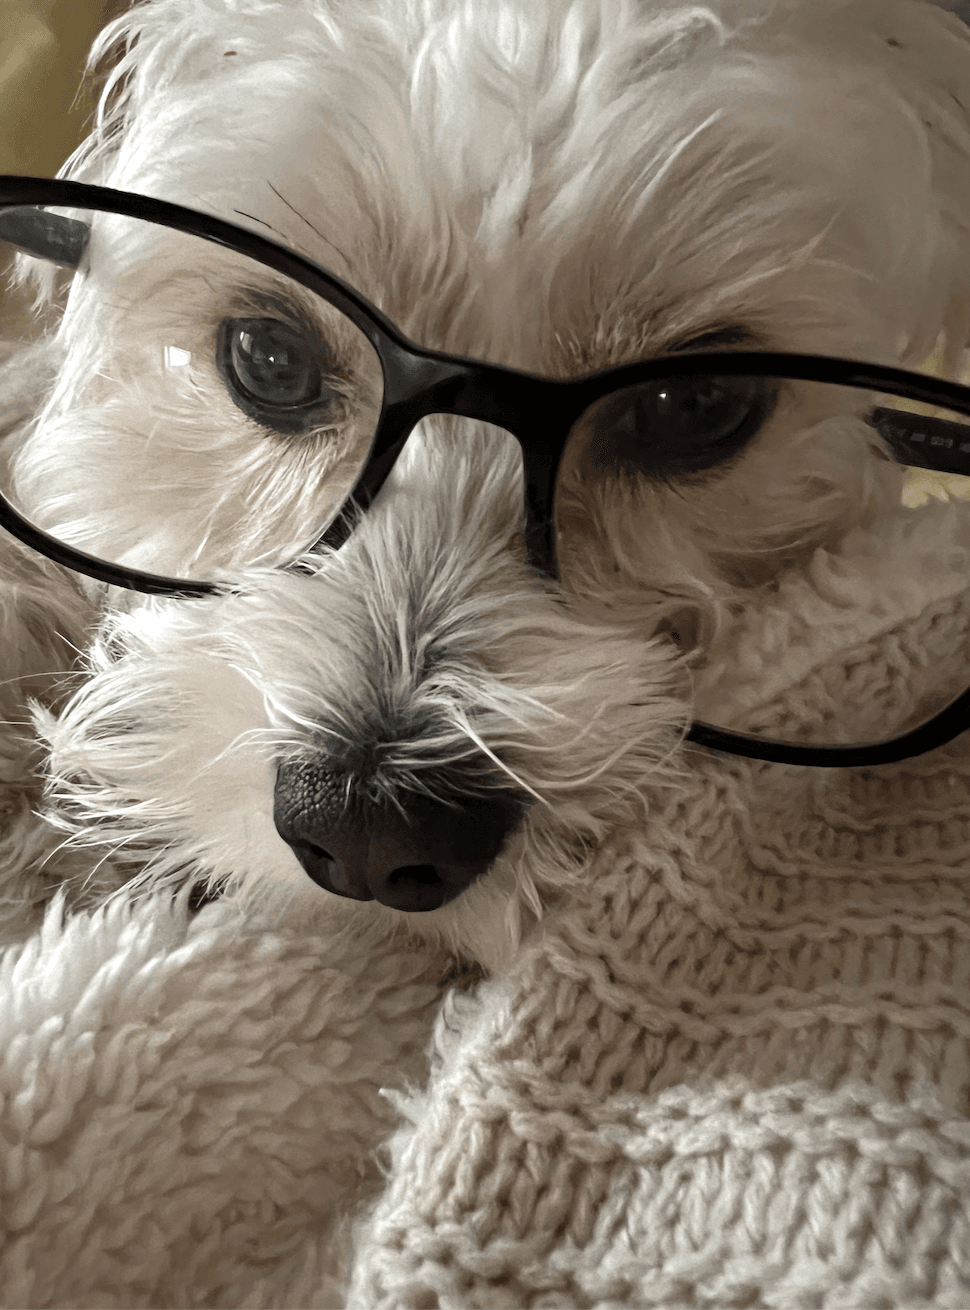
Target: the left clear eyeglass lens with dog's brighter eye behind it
(205, 412)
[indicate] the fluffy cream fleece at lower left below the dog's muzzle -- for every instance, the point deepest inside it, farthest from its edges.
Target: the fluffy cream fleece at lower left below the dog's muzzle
(184, 1108)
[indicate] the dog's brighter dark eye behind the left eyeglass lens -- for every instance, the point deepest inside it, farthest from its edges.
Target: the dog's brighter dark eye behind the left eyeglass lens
(276, 374)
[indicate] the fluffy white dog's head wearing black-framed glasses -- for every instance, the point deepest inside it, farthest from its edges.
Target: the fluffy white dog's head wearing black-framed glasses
(421, 721)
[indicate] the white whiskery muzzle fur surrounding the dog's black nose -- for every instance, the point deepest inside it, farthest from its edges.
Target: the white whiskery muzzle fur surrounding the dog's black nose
(444, 637)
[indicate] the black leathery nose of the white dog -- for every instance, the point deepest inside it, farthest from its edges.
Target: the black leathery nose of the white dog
(415, 859)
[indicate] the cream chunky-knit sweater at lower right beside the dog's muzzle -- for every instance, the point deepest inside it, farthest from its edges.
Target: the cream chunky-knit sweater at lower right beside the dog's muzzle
(737, 1072)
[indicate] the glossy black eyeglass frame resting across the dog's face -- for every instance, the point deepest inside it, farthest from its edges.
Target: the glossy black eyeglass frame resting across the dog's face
(420, 383)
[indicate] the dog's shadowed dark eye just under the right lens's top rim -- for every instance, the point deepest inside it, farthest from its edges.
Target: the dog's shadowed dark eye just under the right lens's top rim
(678, 425)
